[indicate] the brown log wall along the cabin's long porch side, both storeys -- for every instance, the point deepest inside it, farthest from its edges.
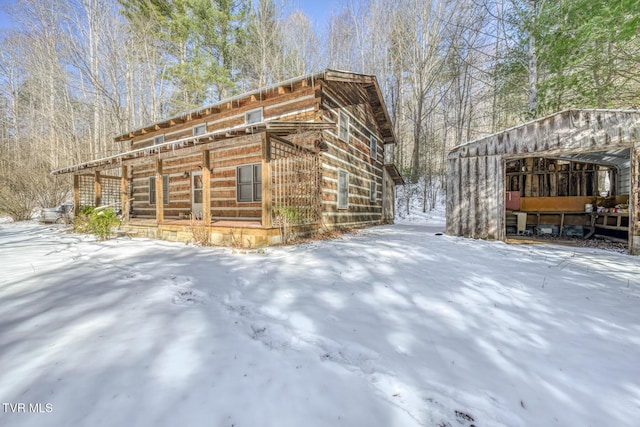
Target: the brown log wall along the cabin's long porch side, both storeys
(225, 155)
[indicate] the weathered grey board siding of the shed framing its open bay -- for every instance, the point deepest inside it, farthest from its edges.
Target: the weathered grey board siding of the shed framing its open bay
(476, 170)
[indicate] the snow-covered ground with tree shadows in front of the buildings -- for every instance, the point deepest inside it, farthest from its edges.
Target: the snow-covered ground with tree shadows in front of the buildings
(392, 326)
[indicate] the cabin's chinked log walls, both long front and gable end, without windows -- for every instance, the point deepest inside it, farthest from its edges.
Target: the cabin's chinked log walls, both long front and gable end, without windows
(324, 101)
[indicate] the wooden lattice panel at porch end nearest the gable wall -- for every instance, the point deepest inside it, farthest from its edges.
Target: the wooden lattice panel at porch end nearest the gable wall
(295, 184)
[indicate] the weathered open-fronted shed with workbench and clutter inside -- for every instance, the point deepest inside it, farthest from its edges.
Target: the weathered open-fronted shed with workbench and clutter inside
(571, 173)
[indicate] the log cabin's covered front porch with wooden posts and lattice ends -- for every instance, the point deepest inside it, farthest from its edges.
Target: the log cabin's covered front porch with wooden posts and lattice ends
(260, 190)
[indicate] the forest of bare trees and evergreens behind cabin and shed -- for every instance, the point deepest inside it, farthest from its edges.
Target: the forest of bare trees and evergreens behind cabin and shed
(75, 73)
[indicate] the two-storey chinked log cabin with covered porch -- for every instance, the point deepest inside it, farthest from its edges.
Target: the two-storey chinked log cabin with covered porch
(306, 154)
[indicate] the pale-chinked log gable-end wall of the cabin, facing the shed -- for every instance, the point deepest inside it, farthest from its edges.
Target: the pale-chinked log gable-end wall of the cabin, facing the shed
(353, 156)
